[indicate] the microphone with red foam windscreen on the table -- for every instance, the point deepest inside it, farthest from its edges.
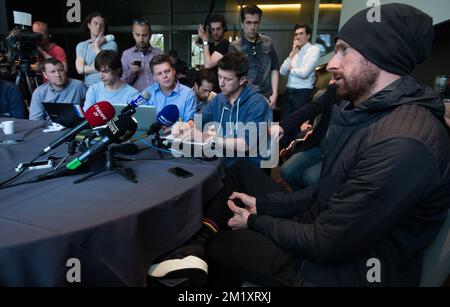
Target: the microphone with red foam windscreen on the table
(97, 115)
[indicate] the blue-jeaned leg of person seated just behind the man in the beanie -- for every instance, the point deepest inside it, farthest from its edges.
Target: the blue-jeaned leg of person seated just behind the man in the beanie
(303, 169)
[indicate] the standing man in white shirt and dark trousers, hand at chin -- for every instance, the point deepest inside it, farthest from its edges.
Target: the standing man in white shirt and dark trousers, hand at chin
(300, 68)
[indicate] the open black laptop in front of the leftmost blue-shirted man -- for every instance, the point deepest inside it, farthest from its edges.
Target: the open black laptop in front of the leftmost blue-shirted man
(66, 114)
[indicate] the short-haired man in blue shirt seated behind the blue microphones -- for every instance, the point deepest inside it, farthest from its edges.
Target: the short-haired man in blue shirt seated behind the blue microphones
(167, 90)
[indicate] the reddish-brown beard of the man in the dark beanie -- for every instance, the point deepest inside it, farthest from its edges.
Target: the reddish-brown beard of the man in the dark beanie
(359, 85)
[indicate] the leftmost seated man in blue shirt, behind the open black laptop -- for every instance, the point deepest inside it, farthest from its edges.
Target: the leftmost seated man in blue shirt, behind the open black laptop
(58, 89)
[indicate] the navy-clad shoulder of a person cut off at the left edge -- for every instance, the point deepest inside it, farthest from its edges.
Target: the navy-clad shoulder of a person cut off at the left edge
(11, 101)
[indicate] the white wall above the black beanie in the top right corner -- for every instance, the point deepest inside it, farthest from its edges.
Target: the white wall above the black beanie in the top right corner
(438, 9)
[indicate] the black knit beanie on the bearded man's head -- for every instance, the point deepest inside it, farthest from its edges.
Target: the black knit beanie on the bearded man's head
(398, 43)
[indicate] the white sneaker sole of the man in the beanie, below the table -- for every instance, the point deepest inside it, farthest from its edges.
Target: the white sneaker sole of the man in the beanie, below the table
(189, 262)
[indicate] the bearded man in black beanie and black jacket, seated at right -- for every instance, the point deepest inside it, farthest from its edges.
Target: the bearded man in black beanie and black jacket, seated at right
(384, 189)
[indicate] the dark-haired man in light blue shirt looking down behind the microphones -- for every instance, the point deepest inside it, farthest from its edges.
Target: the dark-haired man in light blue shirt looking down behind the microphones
(111, 88)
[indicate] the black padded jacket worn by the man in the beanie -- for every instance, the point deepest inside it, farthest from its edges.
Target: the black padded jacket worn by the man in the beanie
(384, 192)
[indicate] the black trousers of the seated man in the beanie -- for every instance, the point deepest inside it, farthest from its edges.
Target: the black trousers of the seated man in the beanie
(245, 255)
